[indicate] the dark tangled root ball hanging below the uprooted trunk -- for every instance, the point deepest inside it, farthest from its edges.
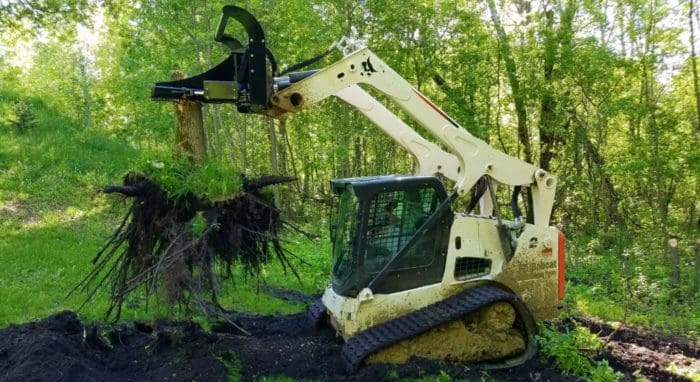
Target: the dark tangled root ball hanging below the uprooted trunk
(182, 248)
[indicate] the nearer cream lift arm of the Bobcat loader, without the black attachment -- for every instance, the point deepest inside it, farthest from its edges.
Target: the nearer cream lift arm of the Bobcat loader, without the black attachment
(475, 157)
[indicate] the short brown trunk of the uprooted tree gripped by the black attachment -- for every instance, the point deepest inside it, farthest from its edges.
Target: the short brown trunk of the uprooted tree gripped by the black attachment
(189, 127)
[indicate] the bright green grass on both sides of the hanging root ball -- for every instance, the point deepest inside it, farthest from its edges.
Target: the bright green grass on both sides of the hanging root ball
(54, 218)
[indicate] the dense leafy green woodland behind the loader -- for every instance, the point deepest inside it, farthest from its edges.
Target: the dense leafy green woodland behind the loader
(604, 94)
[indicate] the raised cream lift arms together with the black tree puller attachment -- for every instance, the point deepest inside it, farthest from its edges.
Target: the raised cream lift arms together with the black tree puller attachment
(247, 79)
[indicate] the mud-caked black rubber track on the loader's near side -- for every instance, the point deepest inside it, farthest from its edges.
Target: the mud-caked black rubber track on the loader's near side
(483, 323)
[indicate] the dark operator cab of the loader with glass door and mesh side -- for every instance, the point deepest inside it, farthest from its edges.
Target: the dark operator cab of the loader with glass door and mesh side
(381, 222)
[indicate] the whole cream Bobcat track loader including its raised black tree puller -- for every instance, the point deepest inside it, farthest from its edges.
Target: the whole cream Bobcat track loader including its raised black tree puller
(410, 275)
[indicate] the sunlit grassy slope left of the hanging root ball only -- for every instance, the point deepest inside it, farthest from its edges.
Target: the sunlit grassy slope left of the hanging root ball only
(53, 218)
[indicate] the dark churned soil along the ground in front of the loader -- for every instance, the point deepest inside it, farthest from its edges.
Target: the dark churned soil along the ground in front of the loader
(61, 348)
